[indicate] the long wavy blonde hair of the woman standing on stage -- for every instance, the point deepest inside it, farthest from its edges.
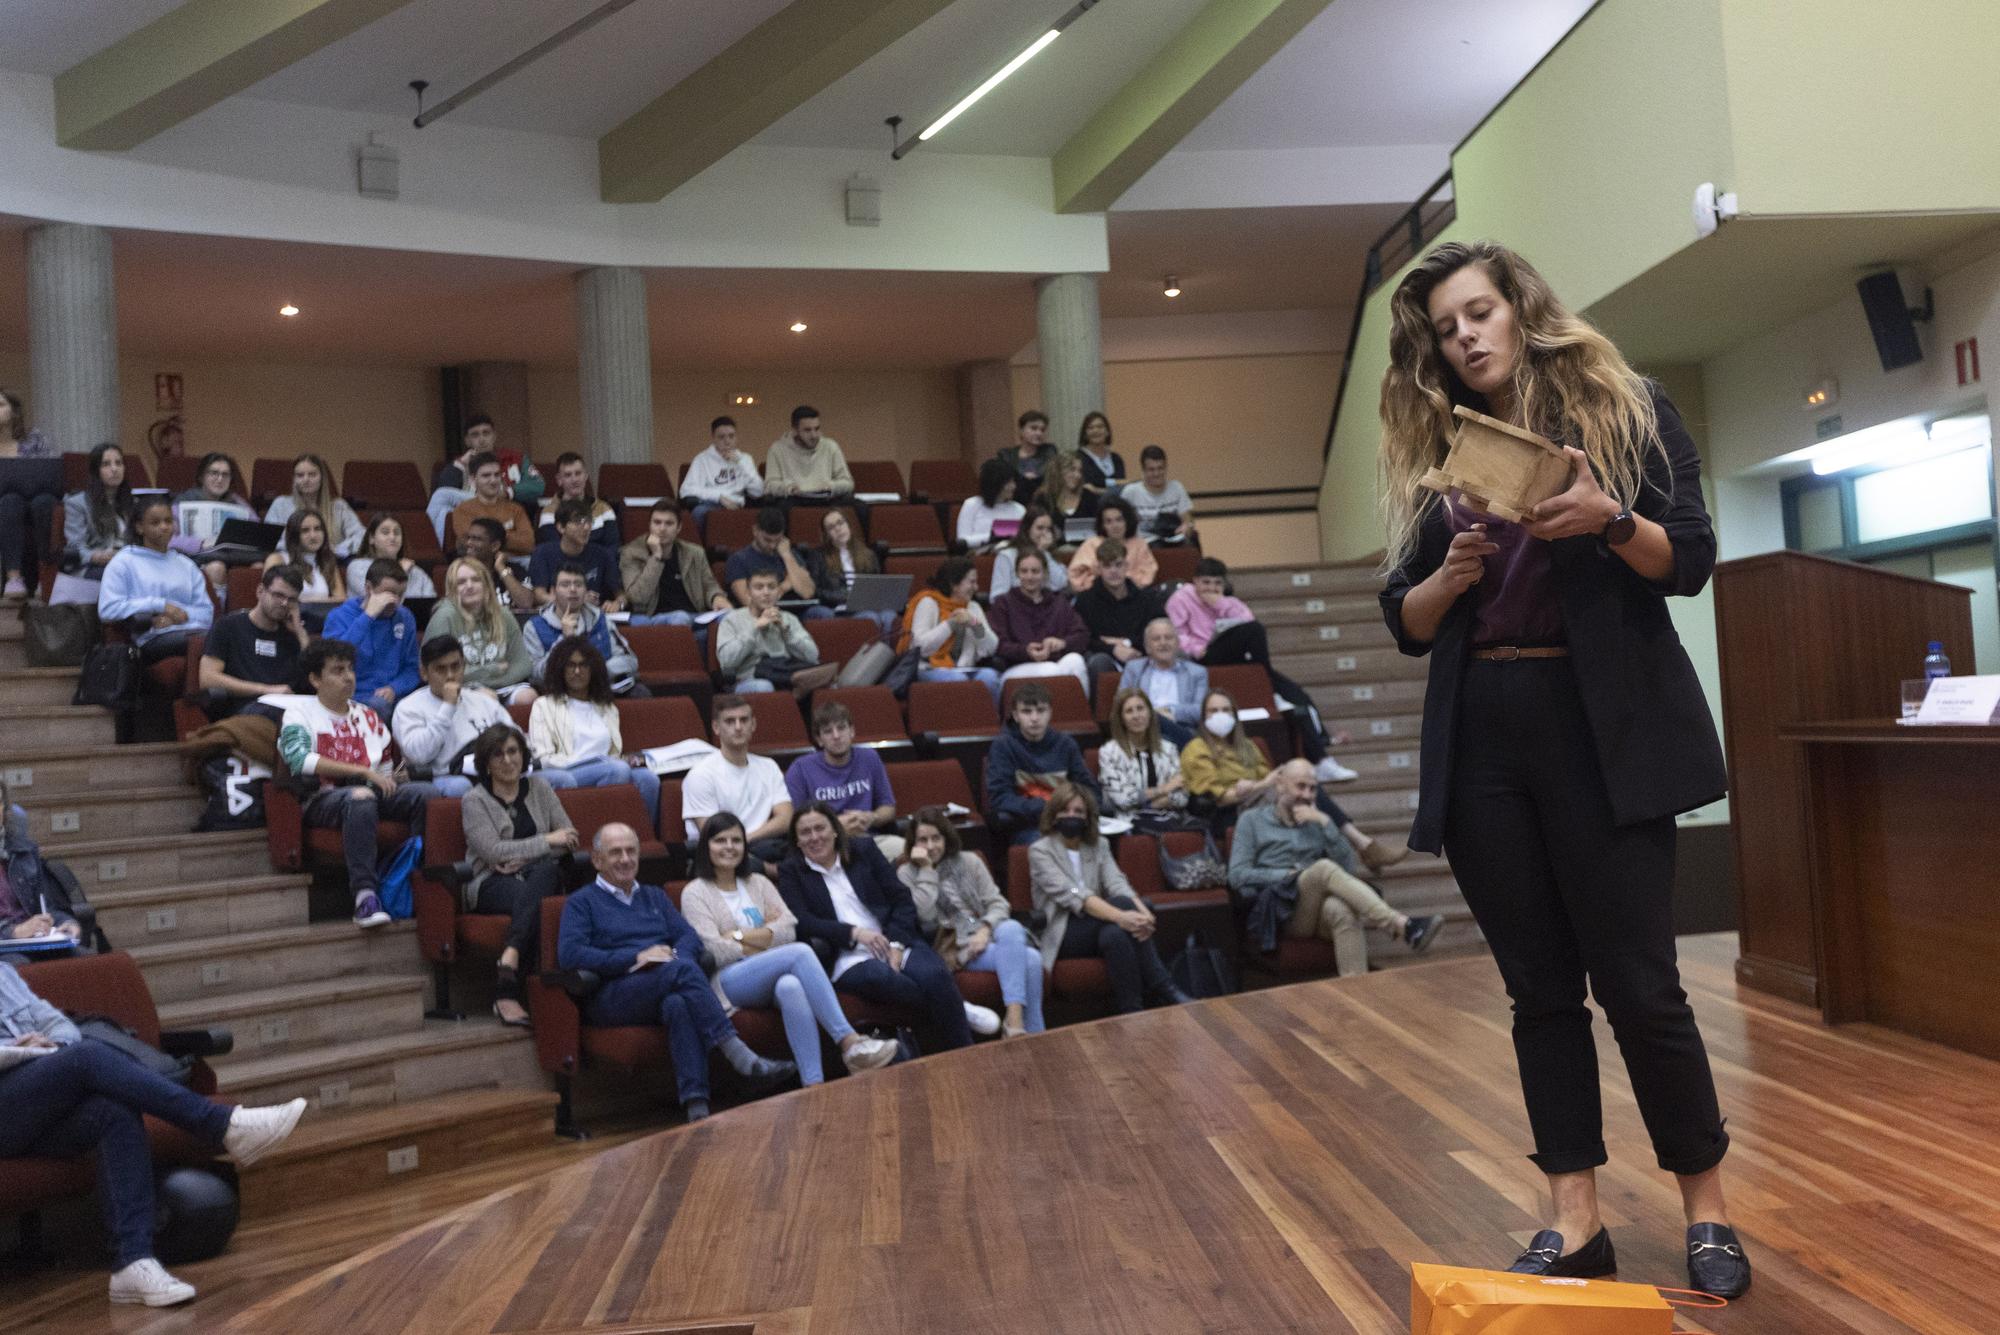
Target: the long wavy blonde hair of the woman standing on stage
(1571, 385)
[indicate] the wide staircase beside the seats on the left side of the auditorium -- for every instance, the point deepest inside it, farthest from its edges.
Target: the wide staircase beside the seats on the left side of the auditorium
(319, 1010)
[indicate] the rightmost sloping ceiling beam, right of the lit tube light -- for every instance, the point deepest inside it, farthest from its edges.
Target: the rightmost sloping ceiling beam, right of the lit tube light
(1207, 61)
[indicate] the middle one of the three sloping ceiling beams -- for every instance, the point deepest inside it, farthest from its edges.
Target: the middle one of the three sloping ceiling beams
(775, 69)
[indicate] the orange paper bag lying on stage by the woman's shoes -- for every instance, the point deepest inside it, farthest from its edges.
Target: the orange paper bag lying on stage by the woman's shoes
(1463, 1302)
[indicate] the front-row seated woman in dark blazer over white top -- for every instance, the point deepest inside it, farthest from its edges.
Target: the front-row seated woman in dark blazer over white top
(861, 920)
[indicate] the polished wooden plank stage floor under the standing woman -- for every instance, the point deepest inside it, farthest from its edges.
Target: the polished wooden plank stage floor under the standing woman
(1269, 1162)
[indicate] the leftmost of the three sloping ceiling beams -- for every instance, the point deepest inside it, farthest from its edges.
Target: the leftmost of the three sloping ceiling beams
(191, 59)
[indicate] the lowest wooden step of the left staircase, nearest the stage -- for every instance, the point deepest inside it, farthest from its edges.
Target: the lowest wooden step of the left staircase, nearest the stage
(331, 1158)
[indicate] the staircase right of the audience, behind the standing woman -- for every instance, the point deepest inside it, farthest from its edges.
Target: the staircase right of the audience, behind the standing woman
(1327, 635)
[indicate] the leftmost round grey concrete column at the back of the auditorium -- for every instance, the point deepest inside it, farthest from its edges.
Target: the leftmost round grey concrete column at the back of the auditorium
(73, 337)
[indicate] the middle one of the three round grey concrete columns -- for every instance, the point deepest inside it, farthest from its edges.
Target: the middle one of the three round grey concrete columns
(615, 367)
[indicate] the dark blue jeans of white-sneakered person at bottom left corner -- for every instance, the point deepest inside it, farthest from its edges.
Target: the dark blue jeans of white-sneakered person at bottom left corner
(89, 1098)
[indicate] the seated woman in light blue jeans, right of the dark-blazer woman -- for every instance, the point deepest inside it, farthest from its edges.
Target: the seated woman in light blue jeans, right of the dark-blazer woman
(969, 922)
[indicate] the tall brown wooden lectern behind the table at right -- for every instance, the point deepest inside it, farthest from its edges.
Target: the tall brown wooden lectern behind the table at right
(1805, 639)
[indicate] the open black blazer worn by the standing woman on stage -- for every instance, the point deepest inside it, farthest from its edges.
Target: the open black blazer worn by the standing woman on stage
(1655, 736)
